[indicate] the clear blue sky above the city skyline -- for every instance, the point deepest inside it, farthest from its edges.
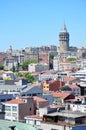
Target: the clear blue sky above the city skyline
(32, 23)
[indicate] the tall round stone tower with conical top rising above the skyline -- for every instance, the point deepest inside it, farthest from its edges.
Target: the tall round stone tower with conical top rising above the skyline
(64, 39)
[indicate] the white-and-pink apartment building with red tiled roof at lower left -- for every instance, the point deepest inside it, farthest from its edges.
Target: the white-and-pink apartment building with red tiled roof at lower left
(17, 109)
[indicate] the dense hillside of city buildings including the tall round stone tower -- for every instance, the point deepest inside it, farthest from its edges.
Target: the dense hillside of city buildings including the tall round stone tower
(44, 87)
